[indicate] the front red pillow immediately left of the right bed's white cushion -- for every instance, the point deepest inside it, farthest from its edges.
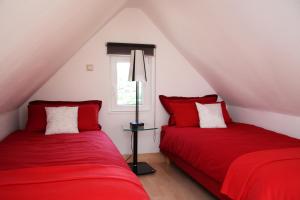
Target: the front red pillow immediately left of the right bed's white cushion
(185, 114)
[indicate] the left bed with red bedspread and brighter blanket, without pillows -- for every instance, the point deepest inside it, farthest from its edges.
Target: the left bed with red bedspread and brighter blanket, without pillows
(65, 166)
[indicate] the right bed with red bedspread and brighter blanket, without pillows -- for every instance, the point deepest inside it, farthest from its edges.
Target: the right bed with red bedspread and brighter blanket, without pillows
(239, 162)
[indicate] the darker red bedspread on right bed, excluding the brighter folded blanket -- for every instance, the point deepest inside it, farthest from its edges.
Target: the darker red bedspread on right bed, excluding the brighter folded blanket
(213, 150)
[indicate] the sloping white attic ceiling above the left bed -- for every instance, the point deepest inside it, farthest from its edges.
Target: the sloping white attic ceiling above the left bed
(38, 37)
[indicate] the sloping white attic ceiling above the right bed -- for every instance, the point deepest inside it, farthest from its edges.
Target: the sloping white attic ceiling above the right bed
(247, 50)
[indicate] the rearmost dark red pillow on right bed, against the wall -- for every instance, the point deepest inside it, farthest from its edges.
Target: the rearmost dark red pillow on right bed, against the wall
(165, 101)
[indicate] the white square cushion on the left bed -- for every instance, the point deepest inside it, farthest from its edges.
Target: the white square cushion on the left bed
(61, 120)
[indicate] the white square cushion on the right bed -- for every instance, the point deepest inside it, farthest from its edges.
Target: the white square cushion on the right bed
(210, 115)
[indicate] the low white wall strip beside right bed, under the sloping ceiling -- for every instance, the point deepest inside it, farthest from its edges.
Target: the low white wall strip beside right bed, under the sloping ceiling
(286, 124)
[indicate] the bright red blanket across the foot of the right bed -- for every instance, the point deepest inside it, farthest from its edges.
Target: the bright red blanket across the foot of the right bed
(264, 175)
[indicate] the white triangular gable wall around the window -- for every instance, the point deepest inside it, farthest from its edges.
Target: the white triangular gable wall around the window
(174, 76)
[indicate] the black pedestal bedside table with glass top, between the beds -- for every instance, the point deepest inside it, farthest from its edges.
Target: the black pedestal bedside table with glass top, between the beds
(139, 168)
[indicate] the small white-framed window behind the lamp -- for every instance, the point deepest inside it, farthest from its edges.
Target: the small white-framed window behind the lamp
(123, 97)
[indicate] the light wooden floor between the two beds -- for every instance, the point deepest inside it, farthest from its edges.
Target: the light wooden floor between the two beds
(170, 183)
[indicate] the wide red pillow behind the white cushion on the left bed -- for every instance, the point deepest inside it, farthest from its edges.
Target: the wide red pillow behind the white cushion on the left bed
(87, 114)
